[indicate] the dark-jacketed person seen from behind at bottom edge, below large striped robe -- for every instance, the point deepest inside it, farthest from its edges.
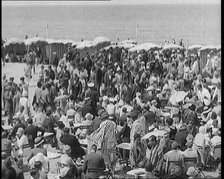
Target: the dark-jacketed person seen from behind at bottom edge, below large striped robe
(93, 164)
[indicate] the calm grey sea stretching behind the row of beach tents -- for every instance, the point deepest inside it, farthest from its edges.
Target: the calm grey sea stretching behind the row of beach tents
(195, 24)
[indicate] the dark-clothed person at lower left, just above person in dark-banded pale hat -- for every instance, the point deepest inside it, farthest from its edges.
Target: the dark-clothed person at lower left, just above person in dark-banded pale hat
(31, 132)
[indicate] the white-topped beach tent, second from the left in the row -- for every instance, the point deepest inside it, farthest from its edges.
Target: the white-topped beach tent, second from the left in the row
(34, 42)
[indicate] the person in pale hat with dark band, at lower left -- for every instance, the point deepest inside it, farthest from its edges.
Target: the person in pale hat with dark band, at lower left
(38, 148)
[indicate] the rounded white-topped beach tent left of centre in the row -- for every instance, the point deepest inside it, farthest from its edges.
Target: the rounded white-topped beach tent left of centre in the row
(86, 46)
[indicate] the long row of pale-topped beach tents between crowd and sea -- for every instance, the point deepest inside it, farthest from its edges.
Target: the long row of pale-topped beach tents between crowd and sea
(18, 47)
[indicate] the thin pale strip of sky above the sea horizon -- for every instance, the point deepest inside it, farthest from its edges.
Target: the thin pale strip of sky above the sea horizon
(107, 2)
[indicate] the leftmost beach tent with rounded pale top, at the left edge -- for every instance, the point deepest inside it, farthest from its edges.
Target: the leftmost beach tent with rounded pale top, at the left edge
(15, 46)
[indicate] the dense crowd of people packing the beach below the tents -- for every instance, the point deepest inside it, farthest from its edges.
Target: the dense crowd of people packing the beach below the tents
(121, 97)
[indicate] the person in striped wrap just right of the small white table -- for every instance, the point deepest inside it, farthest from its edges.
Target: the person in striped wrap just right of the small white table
(137, 152)
